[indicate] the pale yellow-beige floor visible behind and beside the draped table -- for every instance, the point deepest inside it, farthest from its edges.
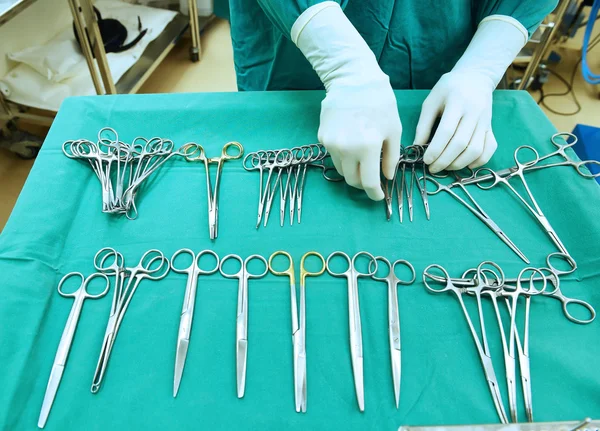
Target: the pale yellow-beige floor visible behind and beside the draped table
(215, 72)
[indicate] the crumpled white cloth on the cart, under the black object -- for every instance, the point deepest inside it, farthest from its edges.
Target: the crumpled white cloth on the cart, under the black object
(48, 74)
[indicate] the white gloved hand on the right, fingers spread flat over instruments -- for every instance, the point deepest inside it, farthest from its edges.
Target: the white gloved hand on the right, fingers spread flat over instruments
(463, 98)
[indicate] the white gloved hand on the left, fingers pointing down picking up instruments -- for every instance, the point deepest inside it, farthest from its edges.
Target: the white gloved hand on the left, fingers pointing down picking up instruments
(359, 115)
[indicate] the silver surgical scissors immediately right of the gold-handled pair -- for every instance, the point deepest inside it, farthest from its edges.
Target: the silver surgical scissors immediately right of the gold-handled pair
(356, 350)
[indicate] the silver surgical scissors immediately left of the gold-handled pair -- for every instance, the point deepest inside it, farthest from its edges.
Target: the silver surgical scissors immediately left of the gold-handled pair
(241, 328)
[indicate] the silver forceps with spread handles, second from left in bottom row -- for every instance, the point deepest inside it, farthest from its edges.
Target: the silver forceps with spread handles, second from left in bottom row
(153, 265)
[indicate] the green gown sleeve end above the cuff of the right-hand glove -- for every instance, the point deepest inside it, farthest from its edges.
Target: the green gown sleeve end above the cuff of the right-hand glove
(530, 13)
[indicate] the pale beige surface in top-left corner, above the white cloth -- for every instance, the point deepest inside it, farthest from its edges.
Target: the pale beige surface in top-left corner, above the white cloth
(33, 26)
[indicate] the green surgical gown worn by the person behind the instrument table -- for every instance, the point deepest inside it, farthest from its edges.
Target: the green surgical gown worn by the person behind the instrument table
(415, 41)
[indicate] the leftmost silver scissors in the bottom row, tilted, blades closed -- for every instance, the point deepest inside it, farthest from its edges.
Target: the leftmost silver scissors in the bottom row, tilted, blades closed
(66, 340)
